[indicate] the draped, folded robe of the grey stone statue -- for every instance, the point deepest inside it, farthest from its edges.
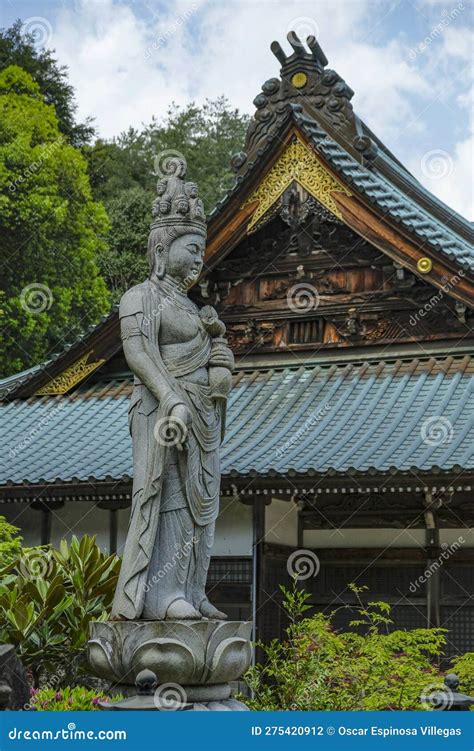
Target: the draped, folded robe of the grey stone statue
(175, 493)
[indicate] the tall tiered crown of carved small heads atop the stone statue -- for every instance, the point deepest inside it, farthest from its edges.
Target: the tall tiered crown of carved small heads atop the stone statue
(177, 201)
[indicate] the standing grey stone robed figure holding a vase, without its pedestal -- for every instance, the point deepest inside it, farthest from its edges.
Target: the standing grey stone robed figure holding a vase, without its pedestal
(182, 369)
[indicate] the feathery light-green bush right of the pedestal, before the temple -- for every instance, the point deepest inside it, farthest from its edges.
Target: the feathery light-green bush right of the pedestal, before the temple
(318, 668)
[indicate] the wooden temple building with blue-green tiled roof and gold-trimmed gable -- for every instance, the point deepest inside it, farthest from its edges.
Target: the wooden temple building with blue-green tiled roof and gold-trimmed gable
(346, 288)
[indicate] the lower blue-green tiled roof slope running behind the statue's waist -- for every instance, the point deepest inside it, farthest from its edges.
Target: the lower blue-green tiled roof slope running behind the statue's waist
(394, 415)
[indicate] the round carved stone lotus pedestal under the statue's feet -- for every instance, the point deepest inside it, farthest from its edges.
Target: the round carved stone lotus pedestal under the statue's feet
(194, 661)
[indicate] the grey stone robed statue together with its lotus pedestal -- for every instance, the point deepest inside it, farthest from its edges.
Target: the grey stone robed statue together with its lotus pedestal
(162, 622)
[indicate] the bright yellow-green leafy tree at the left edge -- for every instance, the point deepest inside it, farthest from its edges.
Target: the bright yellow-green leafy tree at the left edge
(51, 230)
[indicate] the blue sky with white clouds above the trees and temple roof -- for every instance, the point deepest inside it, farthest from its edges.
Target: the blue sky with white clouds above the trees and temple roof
(408, 61)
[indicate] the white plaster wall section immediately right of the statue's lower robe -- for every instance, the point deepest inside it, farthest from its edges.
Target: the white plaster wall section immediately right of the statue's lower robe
(234, 529)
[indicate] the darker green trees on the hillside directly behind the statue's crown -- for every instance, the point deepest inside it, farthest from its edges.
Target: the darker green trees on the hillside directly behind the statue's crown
(124, 173)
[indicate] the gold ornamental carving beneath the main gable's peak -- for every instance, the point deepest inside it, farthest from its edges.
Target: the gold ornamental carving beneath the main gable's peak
(300, 163)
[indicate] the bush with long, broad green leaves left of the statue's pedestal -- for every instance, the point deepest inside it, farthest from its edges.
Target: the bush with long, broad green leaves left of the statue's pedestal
(48, 597)
